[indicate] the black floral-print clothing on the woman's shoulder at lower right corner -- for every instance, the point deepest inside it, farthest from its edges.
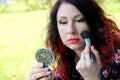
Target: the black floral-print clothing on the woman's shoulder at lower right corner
(113, 71)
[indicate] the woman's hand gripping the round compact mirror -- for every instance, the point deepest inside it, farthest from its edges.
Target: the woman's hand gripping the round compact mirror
(37, 72)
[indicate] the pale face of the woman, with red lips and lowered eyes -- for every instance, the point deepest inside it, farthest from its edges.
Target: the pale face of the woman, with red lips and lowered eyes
(71, 23)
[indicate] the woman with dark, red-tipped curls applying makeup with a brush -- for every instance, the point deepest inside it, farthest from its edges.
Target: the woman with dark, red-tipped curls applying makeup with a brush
(68, 18)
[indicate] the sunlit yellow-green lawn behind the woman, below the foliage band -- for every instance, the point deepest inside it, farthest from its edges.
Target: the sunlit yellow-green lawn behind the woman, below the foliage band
(21, 34)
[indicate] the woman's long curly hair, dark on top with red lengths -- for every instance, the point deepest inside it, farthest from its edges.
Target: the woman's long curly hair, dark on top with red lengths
(105, 36)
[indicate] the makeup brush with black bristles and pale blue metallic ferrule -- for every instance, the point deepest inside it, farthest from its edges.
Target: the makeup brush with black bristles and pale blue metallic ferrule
(86, 36)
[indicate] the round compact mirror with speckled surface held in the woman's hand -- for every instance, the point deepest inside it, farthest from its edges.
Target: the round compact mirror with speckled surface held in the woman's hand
(45, 56)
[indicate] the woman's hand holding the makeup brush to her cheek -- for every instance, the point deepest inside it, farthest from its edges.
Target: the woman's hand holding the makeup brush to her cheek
(87, 69)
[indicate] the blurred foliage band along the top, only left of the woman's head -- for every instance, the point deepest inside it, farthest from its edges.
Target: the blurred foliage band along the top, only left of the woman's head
(25, 5)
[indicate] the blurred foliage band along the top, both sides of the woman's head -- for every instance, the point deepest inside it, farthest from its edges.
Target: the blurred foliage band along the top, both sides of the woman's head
(28, 5)
